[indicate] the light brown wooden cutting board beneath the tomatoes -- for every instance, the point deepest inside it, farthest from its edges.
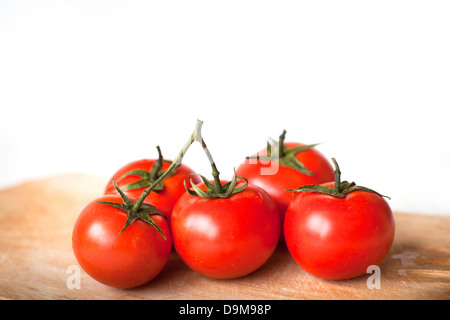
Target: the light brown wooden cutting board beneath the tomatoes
(37, 262)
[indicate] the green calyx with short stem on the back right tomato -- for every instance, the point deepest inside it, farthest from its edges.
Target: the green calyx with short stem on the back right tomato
(278, 151)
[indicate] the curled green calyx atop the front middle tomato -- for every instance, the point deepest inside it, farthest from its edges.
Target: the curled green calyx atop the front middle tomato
(215, 190)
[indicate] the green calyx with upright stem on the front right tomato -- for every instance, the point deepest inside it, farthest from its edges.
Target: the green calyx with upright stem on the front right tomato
(340, 189)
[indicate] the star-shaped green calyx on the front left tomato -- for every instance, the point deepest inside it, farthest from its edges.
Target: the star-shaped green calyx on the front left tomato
(143, 211)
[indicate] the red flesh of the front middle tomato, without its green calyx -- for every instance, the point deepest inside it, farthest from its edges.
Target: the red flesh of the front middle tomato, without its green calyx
(226, 238)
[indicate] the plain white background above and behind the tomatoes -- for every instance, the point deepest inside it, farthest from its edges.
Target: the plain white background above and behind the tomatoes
(87, 86)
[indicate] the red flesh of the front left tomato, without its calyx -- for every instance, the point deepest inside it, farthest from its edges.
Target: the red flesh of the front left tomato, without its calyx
(122, 260)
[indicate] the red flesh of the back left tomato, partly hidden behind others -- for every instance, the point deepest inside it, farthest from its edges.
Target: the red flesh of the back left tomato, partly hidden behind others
(171, 188)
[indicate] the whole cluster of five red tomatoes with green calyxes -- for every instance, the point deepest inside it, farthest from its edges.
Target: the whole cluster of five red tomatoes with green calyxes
(287, 193)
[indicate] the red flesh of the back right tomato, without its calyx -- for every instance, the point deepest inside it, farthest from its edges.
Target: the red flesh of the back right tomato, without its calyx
(276, 179)
